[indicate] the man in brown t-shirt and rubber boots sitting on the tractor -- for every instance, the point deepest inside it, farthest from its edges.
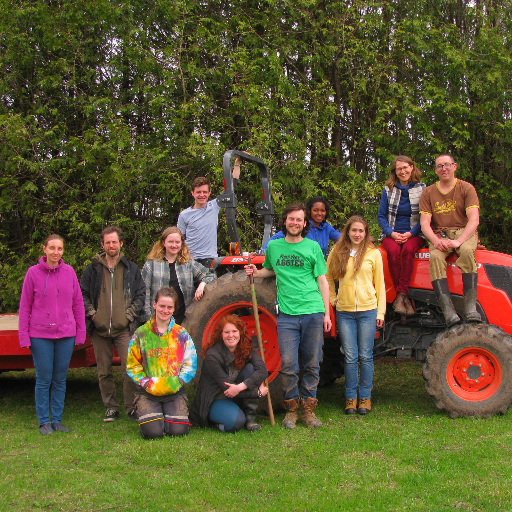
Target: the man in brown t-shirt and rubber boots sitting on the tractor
(450, 214)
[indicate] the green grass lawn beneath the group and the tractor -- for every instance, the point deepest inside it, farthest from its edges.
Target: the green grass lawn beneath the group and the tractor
(404, 456)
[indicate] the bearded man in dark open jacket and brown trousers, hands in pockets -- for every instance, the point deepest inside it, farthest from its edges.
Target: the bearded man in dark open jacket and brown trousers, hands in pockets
(114, 293)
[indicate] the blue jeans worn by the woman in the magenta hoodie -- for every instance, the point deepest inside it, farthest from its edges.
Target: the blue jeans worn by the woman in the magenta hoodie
(51, 361)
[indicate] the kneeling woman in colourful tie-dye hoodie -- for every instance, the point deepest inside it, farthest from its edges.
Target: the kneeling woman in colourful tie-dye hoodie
(161, 359)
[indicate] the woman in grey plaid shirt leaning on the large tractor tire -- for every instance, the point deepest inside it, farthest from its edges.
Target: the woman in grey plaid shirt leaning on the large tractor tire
(169, 263)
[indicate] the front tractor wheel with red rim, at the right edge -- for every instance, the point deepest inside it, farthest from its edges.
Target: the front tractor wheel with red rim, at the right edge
(468, 371)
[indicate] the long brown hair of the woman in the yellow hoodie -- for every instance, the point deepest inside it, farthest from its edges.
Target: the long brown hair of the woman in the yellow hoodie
(341, 250)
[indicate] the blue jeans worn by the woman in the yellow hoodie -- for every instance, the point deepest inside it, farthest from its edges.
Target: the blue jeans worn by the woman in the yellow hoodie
(357, 333)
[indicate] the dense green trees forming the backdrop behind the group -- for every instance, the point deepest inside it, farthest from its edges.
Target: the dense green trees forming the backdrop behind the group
(109, 109)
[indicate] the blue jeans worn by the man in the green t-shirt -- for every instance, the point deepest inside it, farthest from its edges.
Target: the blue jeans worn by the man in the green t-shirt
(300, 336)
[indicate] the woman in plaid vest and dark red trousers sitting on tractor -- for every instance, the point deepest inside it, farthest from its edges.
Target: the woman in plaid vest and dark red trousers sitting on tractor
(399, 220)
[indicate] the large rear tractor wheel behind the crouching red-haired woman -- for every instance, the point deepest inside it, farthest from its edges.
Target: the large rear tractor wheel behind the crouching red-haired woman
(231, 294)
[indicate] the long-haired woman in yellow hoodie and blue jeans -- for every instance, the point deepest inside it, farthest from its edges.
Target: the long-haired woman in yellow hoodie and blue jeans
(356, 265)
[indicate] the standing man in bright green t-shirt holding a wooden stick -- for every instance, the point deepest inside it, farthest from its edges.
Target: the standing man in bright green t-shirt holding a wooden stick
(303, 299)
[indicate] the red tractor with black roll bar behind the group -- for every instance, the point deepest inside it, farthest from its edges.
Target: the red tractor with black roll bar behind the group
(467, 368)
